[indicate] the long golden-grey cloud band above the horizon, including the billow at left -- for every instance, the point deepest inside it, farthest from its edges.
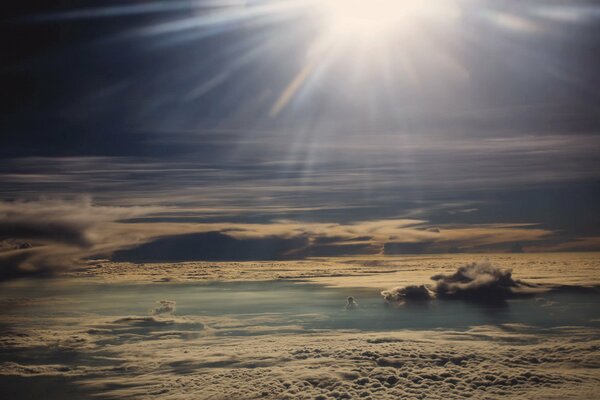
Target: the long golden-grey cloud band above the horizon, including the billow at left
(44, 236)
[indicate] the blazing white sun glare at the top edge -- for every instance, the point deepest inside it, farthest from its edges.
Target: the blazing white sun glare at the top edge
(362, 41)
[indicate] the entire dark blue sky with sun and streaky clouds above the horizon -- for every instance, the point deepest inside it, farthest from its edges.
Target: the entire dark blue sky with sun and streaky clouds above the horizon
(267, 130)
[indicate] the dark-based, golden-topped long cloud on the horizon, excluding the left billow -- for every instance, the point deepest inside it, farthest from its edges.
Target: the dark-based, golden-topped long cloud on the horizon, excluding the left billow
(285, 239)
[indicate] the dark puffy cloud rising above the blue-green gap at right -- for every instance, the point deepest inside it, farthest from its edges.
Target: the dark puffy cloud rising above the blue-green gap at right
(477, 281)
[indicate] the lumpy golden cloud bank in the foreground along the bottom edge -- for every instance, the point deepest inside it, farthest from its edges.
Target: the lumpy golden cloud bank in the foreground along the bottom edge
(485, 361)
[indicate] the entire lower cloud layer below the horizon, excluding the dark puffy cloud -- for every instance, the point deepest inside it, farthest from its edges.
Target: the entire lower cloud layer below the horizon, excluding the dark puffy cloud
(121, 338)
